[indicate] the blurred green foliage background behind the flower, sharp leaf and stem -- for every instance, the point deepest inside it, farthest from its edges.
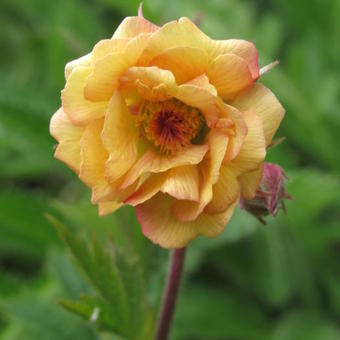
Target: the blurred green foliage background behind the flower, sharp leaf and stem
(279, 282)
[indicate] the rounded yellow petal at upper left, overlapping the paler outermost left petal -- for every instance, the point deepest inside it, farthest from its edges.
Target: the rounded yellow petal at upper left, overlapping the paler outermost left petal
(104, 78)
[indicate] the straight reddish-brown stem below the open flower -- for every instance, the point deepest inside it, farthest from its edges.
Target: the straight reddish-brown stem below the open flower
(170, 293)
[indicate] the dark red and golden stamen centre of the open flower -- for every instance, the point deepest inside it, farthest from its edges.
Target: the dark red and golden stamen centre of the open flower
(170, 125)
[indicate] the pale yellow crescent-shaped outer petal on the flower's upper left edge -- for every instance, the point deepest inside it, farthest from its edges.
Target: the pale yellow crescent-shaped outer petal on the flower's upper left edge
(80, 110)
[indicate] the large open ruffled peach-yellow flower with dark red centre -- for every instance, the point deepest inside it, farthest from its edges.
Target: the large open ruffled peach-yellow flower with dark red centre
(169, 121)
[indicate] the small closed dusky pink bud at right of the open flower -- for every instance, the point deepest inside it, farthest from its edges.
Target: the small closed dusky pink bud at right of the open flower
(270, 194)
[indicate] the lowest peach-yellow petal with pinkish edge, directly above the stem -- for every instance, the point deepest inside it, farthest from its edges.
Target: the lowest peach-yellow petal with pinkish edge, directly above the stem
(160, 225)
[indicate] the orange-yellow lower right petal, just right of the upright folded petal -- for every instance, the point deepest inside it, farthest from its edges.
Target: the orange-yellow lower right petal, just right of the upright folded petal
(225, 191)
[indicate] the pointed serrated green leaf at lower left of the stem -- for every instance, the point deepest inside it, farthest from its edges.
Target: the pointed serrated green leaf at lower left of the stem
(120, 303)
